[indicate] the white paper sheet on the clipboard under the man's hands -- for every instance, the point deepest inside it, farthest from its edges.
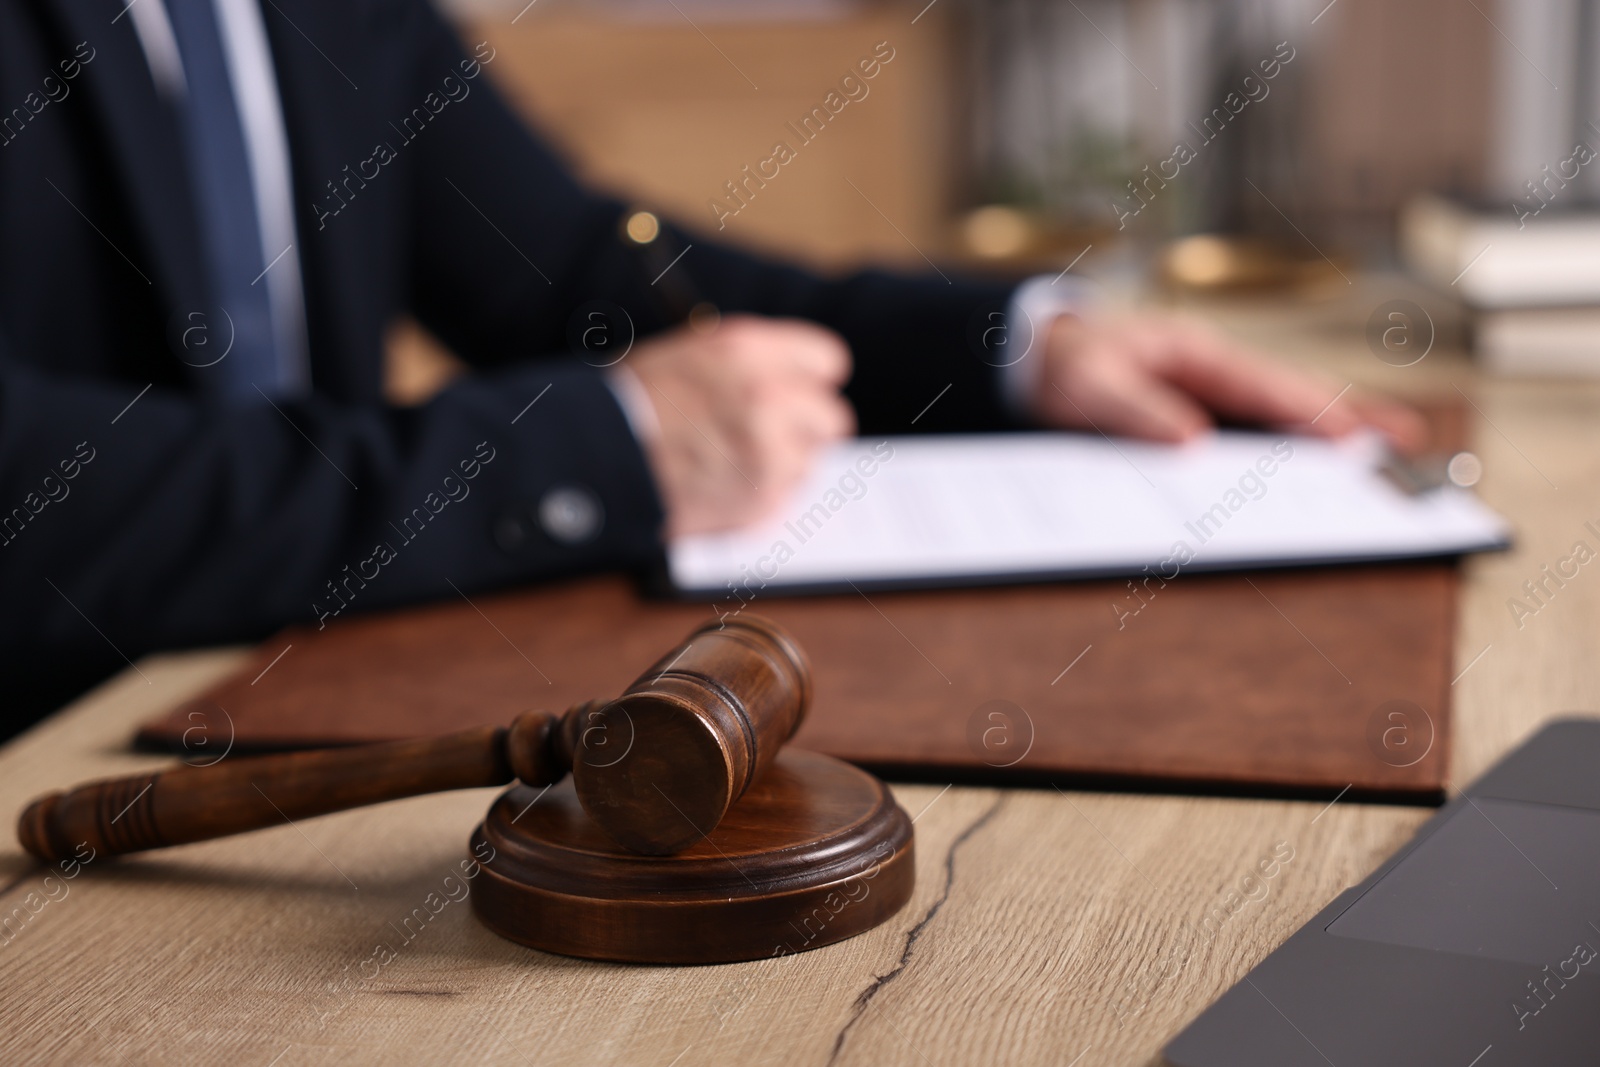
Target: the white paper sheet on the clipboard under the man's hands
(958, 510)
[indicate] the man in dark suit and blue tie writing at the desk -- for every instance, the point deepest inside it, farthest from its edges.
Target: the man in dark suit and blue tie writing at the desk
(212, 212)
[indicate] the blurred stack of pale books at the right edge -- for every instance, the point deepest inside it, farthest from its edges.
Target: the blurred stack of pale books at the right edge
(1530, 281)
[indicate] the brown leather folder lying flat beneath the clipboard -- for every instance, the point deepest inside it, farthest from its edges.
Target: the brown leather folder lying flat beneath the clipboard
(1297, 682)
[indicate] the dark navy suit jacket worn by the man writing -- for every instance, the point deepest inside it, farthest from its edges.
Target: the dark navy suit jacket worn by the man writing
(188, 521)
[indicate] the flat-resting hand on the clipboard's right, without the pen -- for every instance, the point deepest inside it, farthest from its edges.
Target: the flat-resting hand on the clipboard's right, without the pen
(1166, 378)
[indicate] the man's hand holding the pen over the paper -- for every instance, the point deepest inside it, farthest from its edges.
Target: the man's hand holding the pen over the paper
(743, 409)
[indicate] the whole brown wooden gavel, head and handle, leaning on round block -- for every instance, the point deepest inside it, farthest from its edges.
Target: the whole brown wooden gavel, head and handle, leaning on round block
(655, 769)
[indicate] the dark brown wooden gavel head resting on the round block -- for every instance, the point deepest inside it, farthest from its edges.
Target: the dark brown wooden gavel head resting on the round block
(660, 765)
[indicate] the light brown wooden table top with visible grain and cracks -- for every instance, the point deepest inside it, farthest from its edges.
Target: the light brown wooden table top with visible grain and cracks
(1047, 927)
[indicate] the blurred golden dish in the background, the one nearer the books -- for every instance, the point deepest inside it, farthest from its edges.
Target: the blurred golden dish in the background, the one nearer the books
(1210, 263)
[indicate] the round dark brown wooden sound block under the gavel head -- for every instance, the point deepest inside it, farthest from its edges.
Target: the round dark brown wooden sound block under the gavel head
(814, 853)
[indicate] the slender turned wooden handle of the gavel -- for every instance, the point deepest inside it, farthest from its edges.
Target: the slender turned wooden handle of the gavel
(130, 815)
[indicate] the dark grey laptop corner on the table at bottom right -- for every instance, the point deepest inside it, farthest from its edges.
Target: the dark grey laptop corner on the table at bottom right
(1476, 946)
